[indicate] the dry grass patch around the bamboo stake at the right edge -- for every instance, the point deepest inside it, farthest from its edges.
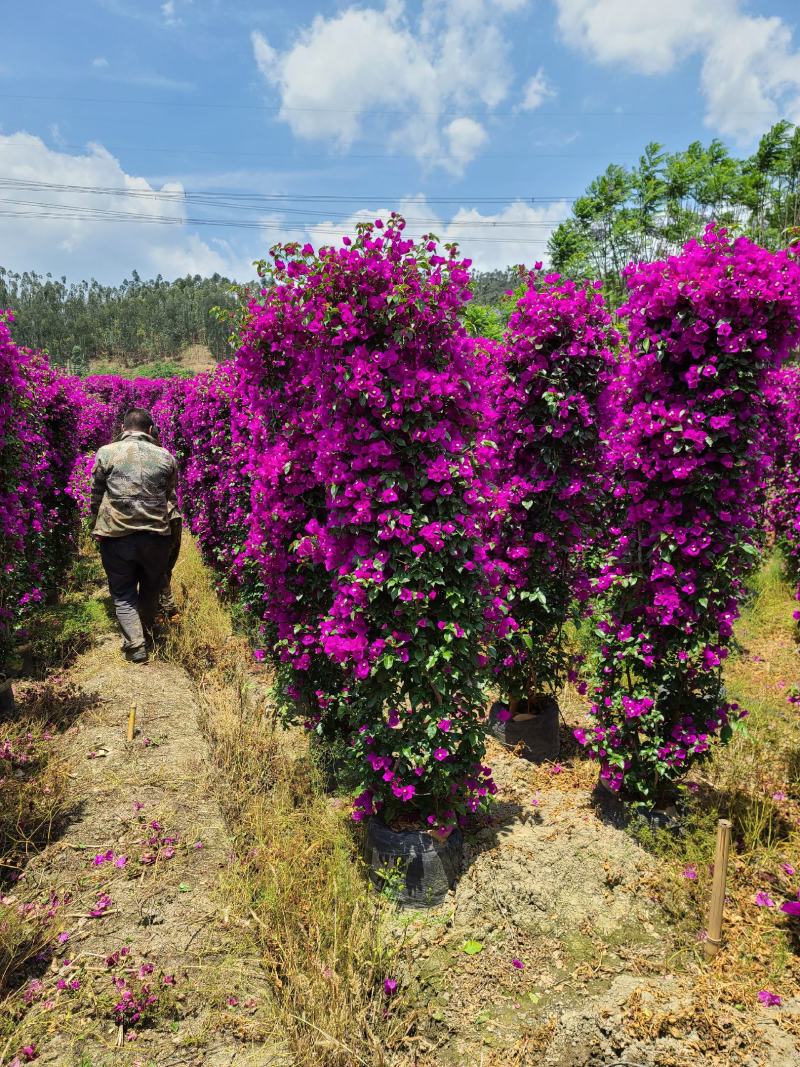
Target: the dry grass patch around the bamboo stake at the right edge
(754, 783)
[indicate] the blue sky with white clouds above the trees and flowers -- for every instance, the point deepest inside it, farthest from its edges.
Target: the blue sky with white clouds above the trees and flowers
(175, 136)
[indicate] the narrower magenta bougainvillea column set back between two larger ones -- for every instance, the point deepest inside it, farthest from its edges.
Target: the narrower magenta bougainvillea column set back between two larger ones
(559, 356)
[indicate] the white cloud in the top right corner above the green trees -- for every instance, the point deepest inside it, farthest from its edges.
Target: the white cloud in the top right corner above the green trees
(750, 72)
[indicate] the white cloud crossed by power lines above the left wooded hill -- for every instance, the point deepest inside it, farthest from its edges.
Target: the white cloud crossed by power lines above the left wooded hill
(63, 232)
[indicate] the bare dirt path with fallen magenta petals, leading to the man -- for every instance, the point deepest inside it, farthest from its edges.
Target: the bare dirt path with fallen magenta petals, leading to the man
(146, 852)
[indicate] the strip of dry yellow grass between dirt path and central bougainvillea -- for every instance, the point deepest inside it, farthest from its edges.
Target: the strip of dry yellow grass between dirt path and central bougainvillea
(297, 883)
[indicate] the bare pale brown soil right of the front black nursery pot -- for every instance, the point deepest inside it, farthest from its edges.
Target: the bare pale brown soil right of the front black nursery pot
(554, 887)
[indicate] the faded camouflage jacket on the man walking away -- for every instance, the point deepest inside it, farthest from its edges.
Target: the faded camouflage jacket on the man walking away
(134, 487)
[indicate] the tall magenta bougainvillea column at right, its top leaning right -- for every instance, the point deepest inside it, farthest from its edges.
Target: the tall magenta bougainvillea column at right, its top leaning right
(689, 450)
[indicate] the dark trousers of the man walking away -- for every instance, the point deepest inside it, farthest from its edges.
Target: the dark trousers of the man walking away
(136, 566)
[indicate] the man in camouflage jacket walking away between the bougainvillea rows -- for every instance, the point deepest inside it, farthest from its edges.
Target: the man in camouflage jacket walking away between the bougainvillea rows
(134, 500)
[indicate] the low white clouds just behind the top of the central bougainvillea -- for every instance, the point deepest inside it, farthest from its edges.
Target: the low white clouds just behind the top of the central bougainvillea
(517, 234)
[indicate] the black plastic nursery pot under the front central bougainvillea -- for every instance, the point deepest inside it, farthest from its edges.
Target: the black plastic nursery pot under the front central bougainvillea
(420, 868)
